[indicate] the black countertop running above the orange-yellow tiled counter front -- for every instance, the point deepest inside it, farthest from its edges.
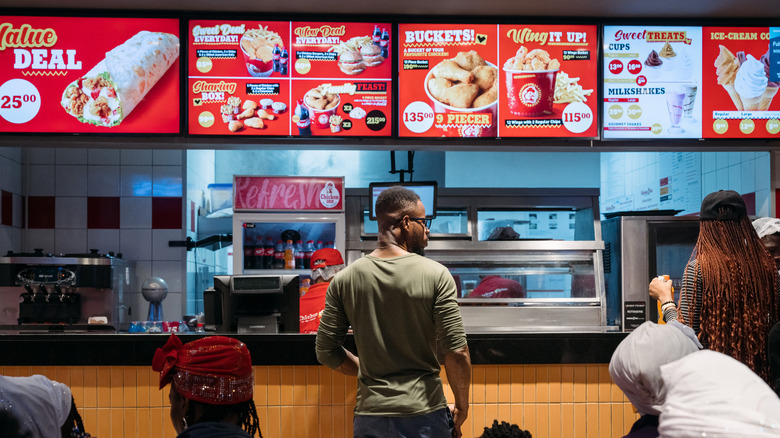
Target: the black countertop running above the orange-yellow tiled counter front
(111, 349)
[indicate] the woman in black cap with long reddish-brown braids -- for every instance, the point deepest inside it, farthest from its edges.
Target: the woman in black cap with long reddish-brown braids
(730, 290)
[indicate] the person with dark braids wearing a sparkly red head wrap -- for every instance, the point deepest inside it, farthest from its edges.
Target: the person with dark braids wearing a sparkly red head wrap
(212, 383)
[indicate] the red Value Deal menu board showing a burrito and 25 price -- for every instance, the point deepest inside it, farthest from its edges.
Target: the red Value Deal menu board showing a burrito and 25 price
(57, 77)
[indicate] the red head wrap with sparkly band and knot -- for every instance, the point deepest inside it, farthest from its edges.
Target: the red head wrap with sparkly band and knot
(215, 369)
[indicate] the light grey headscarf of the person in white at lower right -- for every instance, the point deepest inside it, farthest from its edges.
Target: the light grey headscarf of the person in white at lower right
(636, 363)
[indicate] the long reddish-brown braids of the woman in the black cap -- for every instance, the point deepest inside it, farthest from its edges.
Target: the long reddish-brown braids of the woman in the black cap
(738, 303)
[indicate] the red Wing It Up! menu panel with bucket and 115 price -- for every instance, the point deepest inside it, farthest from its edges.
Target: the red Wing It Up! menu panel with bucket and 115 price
(548, 81)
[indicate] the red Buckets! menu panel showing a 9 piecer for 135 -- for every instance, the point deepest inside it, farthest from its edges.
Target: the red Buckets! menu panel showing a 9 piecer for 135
(439, 94)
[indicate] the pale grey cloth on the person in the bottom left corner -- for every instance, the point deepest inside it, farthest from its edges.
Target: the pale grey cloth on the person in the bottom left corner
(39, 404)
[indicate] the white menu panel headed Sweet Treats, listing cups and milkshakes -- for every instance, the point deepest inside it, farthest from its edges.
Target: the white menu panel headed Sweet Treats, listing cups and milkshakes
(652, 82)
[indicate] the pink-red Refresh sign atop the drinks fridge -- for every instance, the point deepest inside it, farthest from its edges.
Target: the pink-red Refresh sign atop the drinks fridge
(288, 193)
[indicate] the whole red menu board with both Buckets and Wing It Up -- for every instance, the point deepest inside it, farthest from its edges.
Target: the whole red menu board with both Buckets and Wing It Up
(461, 80)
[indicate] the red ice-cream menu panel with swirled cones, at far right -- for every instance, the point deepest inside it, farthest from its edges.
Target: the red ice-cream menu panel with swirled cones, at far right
(738, 99)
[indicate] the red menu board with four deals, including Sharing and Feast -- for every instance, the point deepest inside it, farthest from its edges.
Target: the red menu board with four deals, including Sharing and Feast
(264, 78)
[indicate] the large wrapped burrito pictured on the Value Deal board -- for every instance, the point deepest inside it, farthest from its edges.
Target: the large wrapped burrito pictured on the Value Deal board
(110, 90)
